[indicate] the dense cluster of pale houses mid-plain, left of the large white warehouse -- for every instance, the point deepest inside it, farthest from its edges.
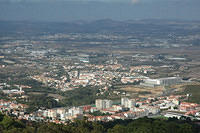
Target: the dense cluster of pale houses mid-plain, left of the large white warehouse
(95, 75)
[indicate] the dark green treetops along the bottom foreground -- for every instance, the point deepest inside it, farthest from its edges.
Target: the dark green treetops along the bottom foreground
(142, 125)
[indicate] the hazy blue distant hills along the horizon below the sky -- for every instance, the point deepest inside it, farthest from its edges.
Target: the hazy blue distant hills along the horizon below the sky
(100, 26)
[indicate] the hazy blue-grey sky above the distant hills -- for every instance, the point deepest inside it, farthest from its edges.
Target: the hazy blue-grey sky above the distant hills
(70, 10)
